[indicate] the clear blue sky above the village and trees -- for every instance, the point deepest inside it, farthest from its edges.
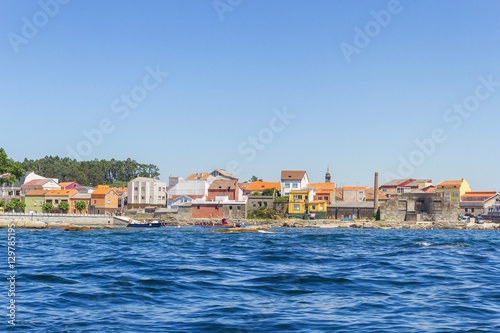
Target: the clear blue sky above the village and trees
(405, 88)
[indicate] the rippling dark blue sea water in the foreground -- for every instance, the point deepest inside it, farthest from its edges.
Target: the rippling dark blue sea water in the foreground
(299, 280)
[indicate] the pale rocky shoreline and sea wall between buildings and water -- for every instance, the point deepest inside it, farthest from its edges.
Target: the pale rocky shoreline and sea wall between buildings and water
(286, 223)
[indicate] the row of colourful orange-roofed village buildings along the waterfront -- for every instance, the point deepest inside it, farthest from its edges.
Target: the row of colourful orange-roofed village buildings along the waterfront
(219, 194)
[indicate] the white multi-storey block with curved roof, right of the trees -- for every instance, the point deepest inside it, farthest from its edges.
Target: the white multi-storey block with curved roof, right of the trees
(143, 192)
